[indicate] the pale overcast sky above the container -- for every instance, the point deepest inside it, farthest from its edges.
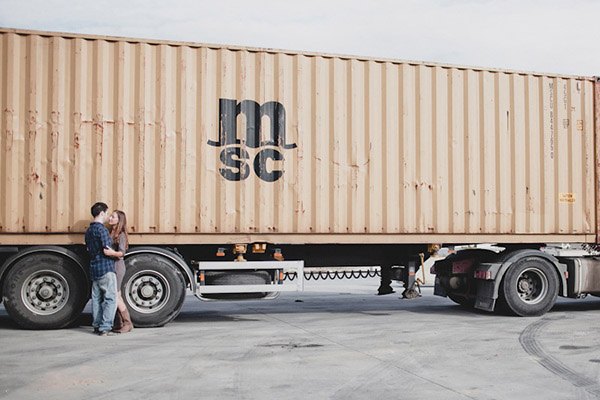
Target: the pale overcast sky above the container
(556, 36)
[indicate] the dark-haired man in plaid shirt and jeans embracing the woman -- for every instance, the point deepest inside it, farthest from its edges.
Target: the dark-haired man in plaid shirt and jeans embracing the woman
(102, 271)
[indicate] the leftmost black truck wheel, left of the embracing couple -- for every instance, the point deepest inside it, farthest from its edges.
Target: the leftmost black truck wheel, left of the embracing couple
(45, 291)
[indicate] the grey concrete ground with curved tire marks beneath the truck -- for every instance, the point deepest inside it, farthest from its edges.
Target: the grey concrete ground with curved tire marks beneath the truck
(337, 340)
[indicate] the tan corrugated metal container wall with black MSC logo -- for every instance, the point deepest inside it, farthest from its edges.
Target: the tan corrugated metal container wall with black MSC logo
(193, 139)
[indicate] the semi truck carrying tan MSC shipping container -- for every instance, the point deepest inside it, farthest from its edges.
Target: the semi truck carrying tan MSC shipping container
(242, 168)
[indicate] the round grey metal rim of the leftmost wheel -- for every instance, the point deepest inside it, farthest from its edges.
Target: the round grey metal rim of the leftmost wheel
(45, 292)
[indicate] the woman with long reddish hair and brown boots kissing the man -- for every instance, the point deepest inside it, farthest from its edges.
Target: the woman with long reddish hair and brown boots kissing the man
(118, 233)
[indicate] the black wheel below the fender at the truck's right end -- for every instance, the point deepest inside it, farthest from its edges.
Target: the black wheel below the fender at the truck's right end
(529, 288)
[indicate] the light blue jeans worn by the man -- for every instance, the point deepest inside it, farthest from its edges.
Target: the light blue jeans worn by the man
(104, 301)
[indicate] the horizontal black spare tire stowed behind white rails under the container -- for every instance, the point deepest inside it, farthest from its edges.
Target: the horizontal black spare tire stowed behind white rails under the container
(237, 278)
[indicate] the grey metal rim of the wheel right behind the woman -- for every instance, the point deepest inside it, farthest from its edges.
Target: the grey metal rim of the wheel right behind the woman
(147, 291)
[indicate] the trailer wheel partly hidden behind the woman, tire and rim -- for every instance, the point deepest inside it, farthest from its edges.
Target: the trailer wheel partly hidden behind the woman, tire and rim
(154, 290)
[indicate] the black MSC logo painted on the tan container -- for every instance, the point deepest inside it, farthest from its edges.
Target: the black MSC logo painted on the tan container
(234, 156)
